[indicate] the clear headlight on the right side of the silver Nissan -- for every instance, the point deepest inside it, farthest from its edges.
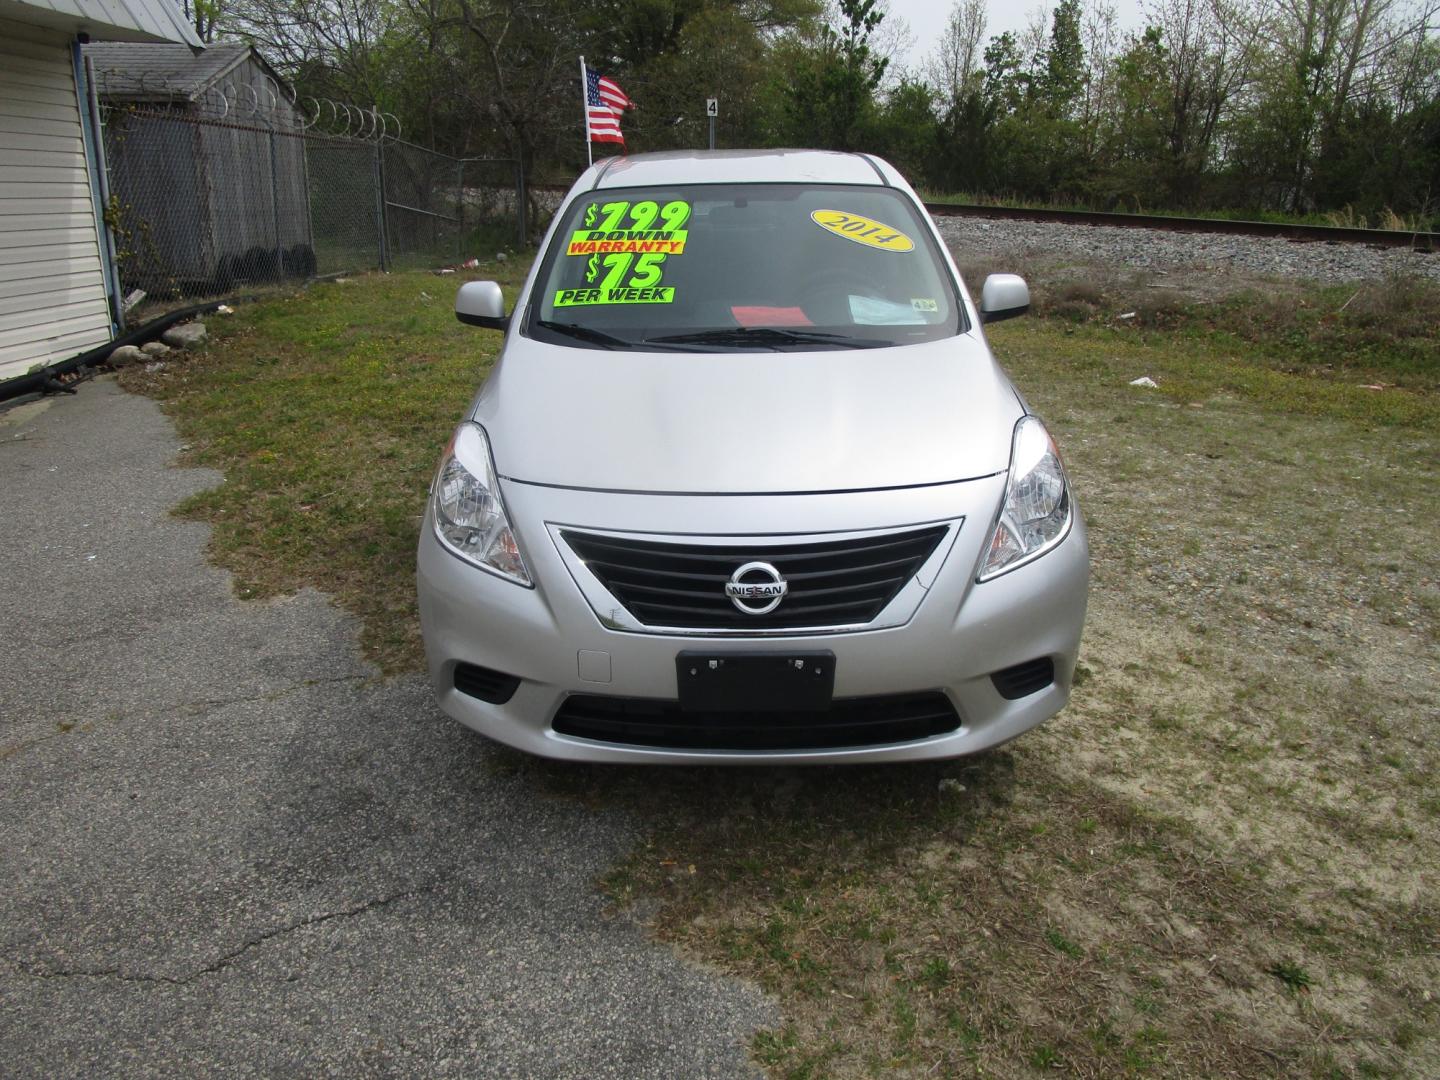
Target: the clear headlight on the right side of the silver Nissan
(1036, 513)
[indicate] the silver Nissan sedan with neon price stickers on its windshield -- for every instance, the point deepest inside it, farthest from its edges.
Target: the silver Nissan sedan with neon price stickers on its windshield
(747, 485)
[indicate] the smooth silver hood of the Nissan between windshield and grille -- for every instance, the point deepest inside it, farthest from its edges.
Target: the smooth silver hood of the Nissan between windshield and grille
(748, 423)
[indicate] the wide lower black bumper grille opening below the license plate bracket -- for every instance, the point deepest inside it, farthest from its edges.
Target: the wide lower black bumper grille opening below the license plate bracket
(849, 722)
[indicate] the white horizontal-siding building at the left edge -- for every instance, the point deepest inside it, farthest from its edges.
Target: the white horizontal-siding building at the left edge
(55, 276)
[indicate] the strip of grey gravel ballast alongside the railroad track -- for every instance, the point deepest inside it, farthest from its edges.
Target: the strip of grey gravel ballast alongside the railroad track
(974, 240)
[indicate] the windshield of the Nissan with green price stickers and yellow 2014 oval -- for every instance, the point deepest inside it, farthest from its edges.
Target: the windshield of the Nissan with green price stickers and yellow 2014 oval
(744, 267)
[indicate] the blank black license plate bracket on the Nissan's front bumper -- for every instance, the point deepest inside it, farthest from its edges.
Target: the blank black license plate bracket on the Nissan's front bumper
(755, 682)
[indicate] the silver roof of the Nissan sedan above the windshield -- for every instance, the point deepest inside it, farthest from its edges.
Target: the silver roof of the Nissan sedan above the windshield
(739, 166)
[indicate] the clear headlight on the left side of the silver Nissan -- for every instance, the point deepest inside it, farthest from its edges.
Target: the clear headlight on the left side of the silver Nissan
(470, 519)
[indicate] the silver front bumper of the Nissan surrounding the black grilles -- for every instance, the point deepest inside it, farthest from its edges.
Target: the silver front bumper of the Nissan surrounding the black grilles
(958, 637)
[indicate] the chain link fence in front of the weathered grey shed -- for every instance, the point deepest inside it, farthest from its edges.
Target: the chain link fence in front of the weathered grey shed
(202, 201)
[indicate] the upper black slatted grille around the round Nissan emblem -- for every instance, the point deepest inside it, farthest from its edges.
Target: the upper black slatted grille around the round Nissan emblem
(832, 584)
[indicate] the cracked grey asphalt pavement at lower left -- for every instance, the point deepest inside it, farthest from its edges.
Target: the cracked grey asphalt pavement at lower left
(228, 847)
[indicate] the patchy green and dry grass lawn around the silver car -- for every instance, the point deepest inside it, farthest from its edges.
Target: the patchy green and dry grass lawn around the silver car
(1222, 860)
